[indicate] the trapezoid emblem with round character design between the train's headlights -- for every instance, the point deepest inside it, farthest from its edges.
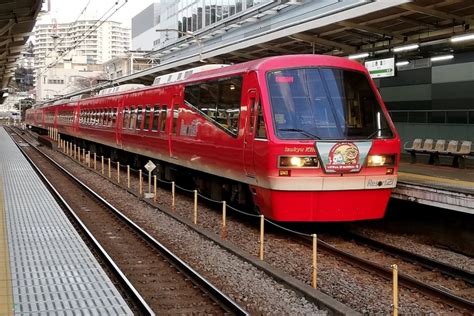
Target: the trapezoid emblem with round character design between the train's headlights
(341, 157)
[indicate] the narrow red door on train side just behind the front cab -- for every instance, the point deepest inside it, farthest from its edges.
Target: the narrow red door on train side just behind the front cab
(252, 102)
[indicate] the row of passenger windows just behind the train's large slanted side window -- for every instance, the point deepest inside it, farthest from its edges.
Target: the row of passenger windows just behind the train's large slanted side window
(154, 118)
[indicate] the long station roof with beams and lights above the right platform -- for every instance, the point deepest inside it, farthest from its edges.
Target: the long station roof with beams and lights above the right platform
(374, 27)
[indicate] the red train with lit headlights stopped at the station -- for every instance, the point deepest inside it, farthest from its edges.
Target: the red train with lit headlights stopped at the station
(300, 137)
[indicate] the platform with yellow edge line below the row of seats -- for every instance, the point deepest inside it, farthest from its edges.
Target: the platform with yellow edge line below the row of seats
(441, 186)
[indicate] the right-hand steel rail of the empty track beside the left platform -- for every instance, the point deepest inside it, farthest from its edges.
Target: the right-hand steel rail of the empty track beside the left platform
(222, 299)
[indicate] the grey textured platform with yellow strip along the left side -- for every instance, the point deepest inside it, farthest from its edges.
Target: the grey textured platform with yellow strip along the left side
(45, 267)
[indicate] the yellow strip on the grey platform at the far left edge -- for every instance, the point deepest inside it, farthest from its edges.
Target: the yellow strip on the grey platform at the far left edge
(6, 296)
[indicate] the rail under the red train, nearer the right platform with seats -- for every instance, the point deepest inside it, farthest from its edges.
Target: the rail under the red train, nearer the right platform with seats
(408, 256)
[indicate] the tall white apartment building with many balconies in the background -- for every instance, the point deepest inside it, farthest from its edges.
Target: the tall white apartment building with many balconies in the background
(81, 38)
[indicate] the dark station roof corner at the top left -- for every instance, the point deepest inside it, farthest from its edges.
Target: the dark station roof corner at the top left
(17, 19)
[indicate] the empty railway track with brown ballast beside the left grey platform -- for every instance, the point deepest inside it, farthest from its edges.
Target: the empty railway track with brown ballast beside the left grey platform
(157, 280)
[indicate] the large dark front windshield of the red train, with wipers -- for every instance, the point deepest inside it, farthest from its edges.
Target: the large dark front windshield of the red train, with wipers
(325, 103)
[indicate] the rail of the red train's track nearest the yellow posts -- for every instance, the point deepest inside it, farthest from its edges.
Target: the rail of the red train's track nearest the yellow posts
(403, 279)
